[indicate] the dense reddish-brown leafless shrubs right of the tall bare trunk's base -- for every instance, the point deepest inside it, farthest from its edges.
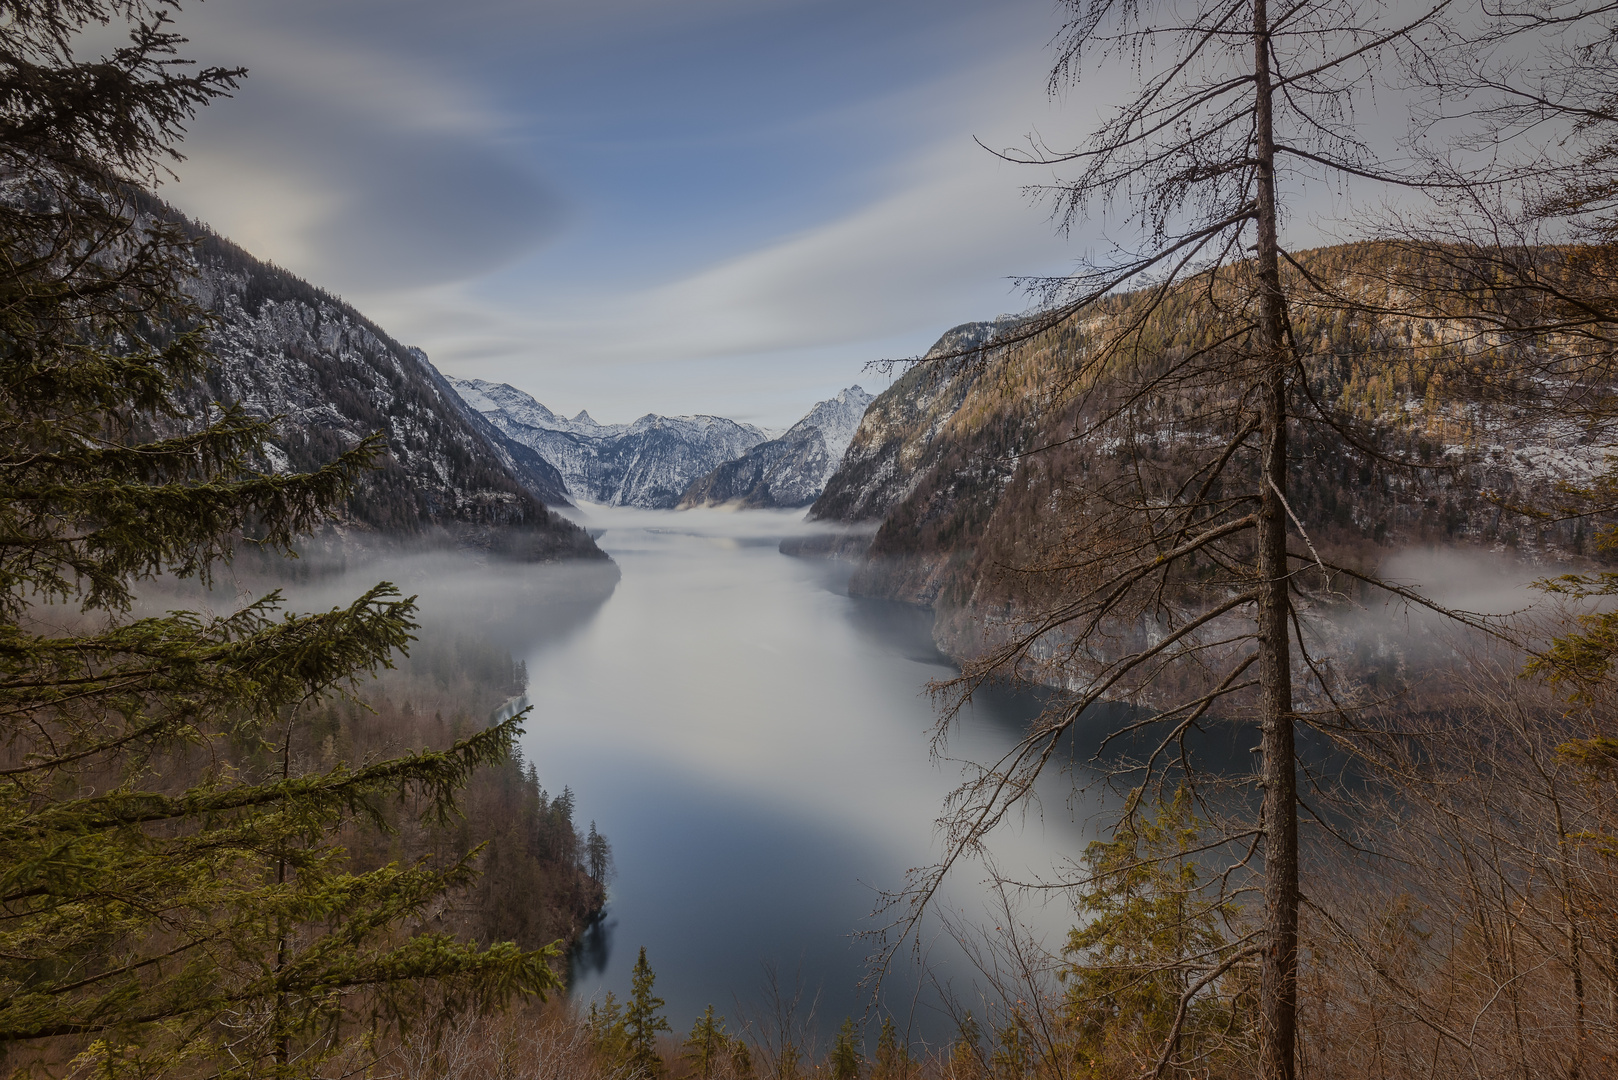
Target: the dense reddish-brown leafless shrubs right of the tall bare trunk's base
(1478, 935)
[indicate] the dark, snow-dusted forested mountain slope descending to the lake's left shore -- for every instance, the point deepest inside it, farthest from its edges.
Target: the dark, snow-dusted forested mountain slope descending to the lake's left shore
(289, 351)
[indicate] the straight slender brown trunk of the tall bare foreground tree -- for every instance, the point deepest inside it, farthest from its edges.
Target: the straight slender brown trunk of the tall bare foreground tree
(1279, 974)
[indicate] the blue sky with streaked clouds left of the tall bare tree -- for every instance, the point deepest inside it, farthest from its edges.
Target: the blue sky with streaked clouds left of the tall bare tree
(632, 206)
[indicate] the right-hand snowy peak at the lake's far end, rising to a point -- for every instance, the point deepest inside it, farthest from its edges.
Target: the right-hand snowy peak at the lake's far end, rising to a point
(792, 470)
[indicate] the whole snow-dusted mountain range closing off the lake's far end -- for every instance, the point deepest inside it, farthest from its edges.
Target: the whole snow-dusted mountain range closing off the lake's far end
(664, 462)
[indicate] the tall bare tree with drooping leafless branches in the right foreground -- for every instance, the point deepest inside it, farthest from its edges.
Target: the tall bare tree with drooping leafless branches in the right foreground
(1175, 572)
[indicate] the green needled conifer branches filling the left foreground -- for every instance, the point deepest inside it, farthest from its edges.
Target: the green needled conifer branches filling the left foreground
(161, 911)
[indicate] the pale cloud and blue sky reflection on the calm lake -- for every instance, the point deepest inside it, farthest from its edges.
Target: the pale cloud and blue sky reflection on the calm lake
(756, 747)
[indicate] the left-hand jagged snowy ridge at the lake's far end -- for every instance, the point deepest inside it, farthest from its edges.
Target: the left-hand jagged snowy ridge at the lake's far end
(648, 464)
